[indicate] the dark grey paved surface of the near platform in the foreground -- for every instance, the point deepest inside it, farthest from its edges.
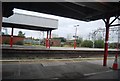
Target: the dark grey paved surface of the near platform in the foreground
(56, 70)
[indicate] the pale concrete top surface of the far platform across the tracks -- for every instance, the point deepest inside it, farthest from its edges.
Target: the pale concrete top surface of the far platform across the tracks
(53, 48)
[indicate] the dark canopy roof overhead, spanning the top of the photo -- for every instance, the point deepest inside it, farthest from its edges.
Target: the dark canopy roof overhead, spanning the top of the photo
(85, 11)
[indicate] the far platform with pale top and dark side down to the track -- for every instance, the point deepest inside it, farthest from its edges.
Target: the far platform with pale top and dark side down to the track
(53, 52)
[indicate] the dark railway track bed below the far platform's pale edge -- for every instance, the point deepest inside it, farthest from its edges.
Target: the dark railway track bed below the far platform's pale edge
(47, 53)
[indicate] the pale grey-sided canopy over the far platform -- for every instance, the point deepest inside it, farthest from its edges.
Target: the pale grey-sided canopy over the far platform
(31, 22)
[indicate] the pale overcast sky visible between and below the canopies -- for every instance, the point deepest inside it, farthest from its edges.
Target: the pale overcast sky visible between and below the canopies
(65, 26)
